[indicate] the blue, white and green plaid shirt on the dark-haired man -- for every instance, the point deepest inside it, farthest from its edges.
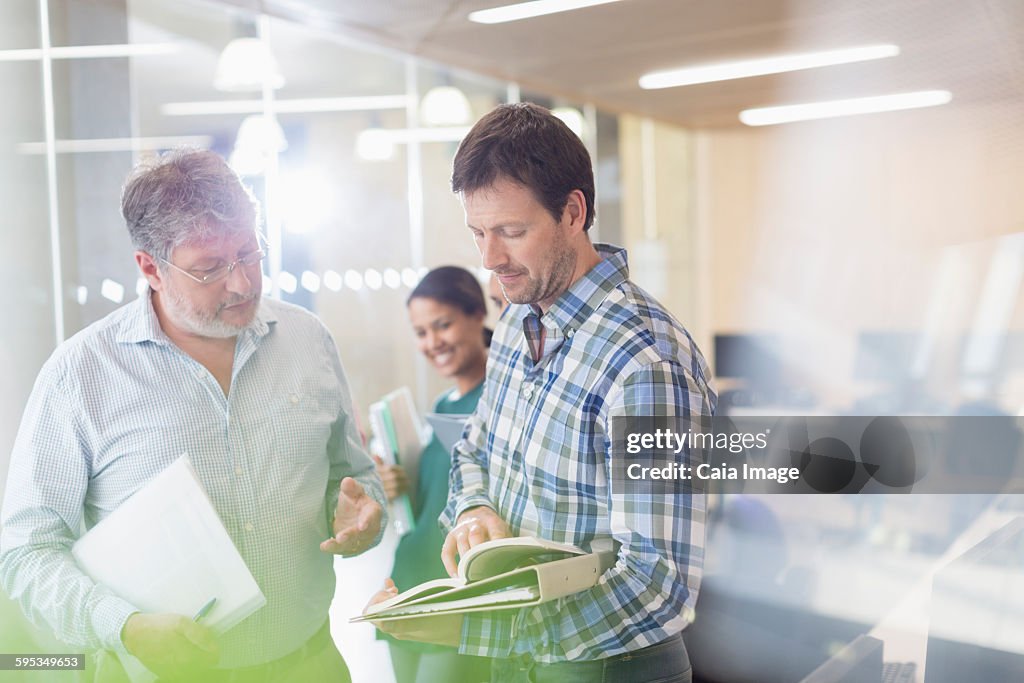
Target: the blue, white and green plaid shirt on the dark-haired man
(538, 451)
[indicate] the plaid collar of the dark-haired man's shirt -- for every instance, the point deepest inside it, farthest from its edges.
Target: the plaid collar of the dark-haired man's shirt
(585, 295)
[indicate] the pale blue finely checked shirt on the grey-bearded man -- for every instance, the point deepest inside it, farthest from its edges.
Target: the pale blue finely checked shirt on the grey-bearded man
(119, 402)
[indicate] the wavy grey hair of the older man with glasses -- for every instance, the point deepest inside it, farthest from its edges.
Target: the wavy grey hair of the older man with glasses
(185, 197)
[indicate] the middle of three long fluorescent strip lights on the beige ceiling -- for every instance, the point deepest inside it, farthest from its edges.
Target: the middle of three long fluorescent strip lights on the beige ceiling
(786, 63)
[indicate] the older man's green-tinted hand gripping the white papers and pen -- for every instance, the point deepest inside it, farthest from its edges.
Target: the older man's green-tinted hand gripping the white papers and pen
(173, 647)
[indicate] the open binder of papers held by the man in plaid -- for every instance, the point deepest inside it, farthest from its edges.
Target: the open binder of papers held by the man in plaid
(500, 575)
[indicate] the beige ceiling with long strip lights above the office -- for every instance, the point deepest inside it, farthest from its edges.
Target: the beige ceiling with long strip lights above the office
(970, 48)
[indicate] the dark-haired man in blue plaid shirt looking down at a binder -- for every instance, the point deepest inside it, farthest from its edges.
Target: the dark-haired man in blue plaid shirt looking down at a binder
(580, 346)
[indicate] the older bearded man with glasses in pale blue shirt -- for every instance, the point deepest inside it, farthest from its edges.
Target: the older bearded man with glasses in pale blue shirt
(253, 391)
